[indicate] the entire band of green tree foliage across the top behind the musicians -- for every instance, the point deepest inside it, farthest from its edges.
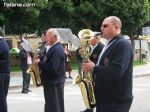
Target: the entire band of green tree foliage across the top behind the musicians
(74, 14)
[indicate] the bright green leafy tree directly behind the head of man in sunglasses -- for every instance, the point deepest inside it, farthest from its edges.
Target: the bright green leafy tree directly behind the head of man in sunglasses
(132, 14)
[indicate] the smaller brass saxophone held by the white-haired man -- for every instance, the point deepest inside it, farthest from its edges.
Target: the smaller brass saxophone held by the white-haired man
(33, 70)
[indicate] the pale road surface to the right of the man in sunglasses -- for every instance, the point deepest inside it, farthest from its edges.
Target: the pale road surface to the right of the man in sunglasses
(141, 91)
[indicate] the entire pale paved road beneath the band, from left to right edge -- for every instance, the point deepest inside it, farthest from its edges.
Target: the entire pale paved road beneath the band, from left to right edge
(34, 101)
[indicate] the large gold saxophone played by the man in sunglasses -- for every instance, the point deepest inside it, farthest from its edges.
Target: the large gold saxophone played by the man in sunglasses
(85, 81)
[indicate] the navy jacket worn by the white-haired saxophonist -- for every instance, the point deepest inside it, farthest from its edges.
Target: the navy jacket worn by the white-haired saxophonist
(52, 67)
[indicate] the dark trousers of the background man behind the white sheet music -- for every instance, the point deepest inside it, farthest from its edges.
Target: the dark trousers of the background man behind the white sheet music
(26, 79)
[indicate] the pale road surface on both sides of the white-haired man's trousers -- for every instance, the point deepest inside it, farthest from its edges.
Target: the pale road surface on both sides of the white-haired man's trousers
(34, 101)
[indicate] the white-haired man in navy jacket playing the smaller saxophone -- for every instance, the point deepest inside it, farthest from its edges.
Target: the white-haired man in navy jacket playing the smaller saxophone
(53, 72)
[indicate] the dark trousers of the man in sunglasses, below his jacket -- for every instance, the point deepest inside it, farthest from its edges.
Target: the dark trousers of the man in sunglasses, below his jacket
(114, 107)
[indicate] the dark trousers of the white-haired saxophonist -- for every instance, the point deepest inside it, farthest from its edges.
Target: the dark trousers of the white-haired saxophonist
(54, 98)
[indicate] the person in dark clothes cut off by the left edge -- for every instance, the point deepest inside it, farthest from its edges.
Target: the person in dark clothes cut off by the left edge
(4, 72)
